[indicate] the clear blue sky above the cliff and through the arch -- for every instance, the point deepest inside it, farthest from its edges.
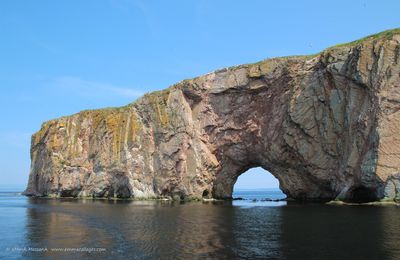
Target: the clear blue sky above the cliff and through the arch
(60, 57)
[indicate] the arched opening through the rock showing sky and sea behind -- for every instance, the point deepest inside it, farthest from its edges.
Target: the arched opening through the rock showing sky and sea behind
(257, 183)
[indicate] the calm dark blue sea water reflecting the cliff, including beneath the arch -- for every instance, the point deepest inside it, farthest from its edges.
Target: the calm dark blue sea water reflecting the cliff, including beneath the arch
(154, 230)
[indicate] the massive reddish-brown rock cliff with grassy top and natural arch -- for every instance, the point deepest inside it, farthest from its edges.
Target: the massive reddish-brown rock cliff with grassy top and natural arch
(327, 126)
